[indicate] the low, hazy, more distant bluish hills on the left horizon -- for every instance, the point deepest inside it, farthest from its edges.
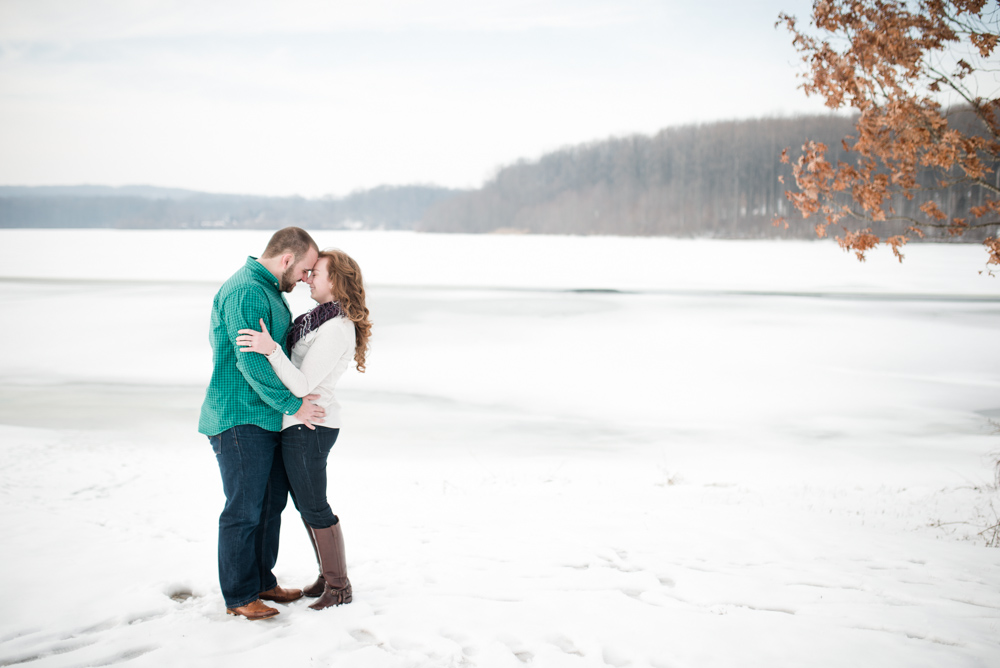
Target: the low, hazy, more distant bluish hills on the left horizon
(148, 207)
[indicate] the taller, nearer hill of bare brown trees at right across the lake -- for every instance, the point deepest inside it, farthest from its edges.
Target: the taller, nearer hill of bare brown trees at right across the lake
(712, 180)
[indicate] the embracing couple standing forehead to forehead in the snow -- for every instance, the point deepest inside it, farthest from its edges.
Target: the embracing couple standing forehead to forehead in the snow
(271, 416)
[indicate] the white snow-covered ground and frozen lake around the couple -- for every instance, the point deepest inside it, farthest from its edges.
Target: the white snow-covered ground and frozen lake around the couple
(751, 454)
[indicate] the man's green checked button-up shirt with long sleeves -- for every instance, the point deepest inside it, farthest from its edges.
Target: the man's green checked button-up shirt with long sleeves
(244, 388)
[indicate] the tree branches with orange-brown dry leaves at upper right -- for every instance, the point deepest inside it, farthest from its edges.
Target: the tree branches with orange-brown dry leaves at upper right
(882, 59)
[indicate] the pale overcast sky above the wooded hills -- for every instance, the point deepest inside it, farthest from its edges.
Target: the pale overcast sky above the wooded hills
(315, 97)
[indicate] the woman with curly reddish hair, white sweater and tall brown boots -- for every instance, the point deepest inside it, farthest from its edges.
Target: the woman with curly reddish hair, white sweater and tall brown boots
(322, 343)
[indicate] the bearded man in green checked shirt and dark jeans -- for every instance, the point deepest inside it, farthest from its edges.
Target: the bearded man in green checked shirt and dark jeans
(242, 418)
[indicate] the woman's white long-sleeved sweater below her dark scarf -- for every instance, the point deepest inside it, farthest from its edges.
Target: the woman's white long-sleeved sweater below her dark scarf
(318, 361)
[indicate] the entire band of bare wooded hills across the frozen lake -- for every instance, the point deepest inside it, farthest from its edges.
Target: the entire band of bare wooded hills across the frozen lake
(720, 179)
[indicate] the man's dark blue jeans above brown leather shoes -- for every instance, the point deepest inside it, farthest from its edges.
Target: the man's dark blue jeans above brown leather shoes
(256, 488)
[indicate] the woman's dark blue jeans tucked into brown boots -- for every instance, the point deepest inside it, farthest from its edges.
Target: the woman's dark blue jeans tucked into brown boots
(304, 452)
